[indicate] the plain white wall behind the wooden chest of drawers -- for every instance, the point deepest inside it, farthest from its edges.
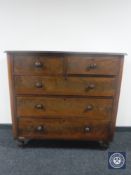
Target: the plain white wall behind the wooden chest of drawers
(70, 25)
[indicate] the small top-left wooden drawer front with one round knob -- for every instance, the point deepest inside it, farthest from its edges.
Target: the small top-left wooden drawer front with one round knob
(38, 64)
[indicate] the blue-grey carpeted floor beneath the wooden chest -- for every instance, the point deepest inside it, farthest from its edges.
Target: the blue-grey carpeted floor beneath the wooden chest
(60, 158)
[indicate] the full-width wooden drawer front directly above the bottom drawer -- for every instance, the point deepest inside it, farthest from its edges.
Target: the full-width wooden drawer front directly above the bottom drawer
(59, 107)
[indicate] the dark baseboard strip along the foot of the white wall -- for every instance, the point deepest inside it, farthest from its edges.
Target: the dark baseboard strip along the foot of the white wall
(117, 129)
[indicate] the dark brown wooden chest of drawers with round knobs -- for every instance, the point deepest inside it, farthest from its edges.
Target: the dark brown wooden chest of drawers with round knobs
(64, 95)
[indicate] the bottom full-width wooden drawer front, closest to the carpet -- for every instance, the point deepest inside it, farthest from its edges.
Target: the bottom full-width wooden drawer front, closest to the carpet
(63, 129)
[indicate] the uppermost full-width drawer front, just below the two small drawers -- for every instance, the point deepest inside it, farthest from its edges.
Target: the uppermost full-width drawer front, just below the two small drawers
(60, 86)
